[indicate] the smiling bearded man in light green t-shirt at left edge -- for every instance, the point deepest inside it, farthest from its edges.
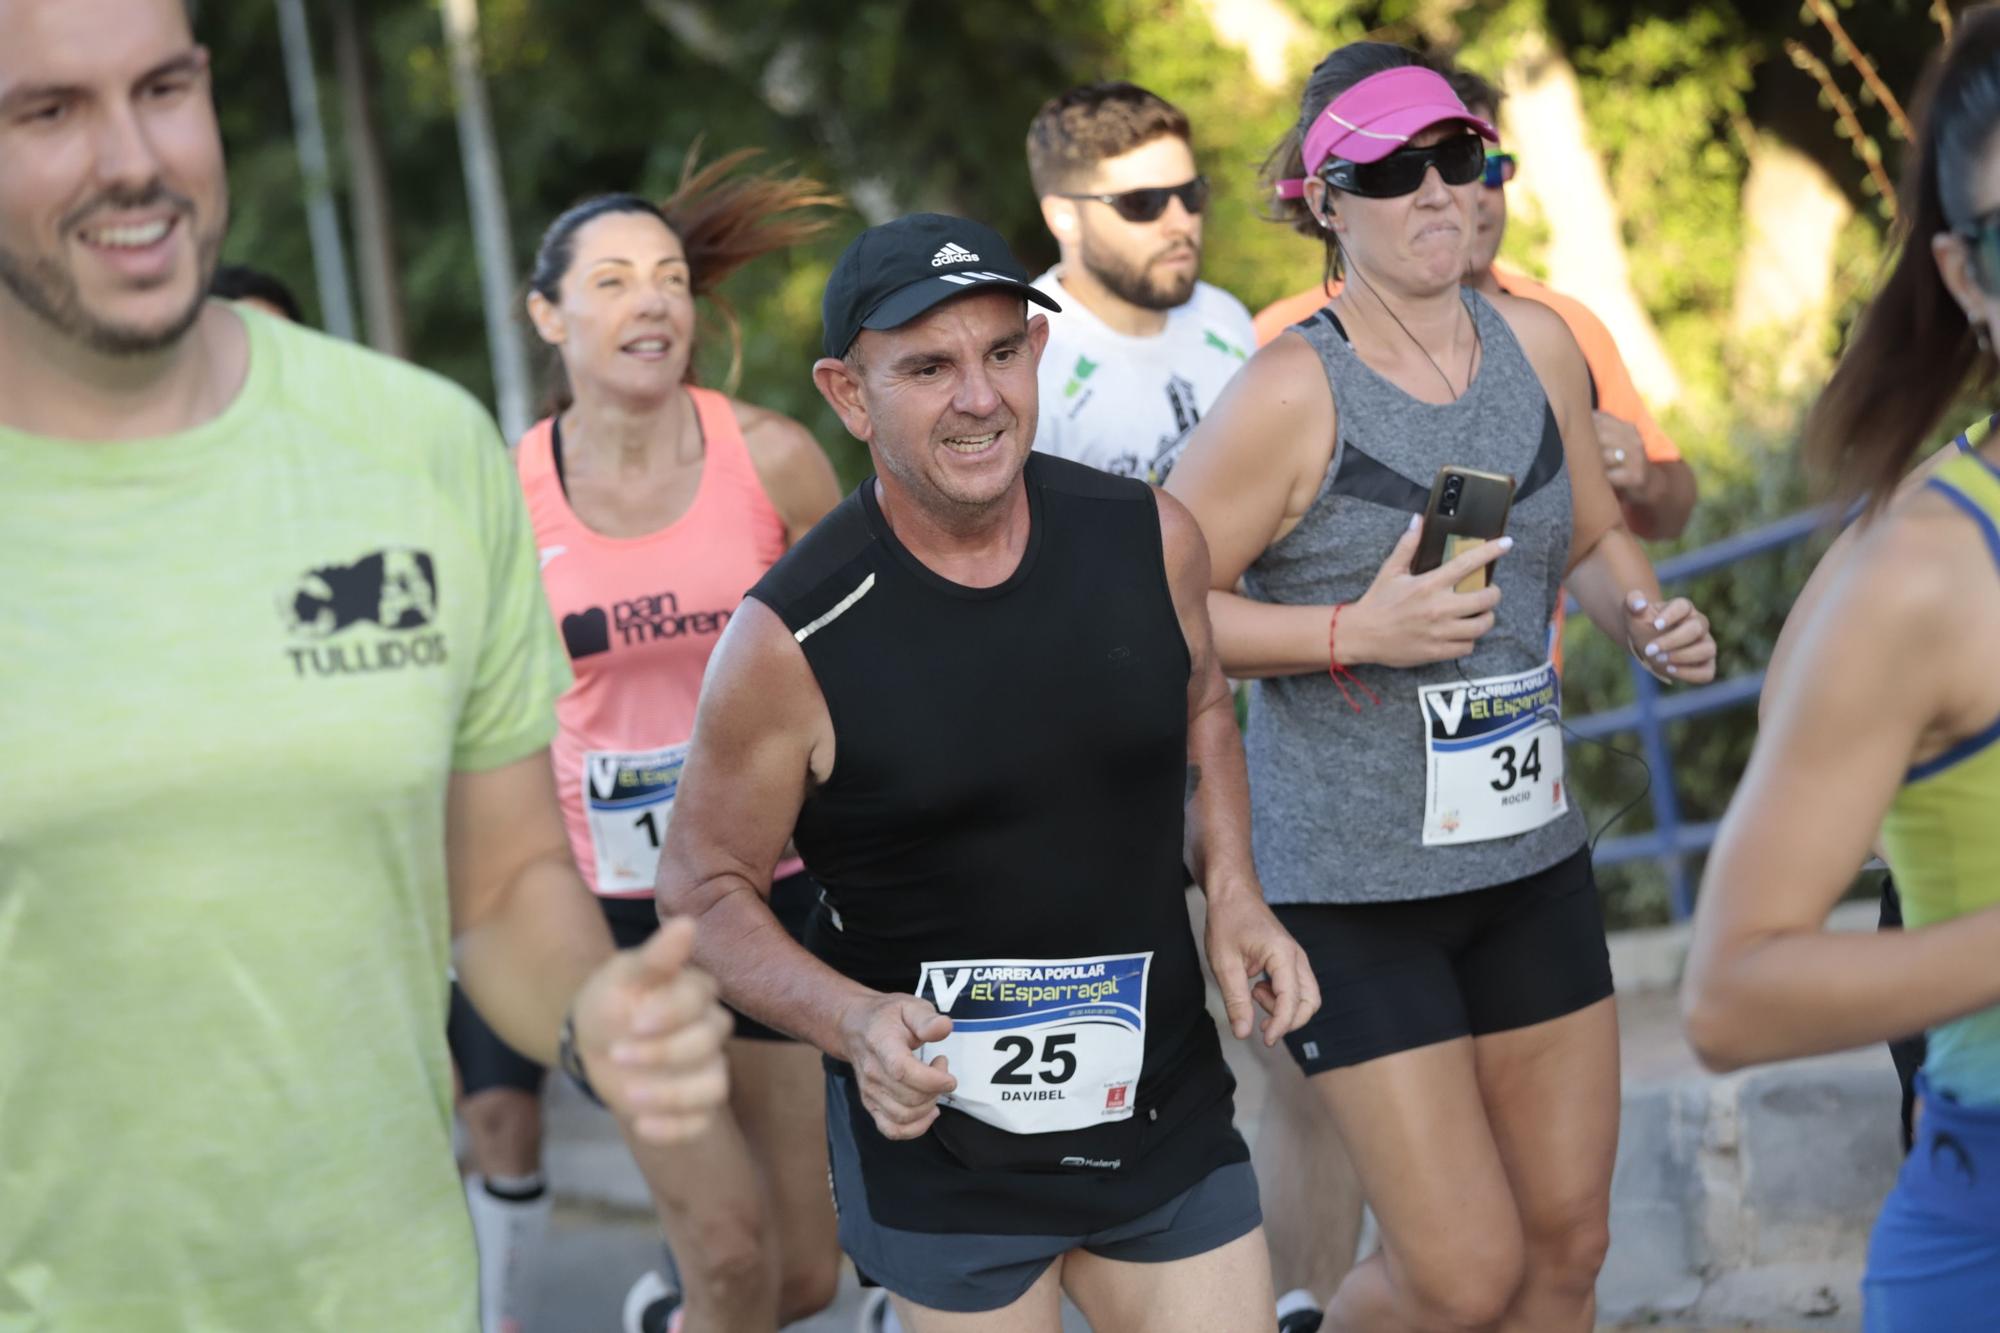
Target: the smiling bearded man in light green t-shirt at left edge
(277, 686)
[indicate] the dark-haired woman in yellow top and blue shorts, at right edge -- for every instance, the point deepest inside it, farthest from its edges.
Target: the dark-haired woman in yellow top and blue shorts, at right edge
(1885, 716)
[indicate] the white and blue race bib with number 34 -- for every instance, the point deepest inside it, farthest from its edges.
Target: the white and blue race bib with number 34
(1495, 758)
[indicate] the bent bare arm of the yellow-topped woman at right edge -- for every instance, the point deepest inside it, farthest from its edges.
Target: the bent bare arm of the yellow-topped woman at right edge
(1887, 674)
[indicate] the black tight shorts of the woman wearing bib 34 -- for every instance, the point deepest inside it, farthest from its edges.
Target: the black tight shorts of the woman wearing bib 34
(1403, 976)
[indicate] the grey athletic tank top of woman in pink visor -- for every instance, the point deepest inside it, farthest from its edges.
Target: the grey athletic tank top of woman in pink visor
(1337, 798)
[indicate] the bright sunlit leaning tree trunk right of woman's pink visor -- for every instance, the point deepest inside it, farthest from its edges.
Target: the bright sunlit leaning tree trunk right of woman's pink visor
(1587, 257)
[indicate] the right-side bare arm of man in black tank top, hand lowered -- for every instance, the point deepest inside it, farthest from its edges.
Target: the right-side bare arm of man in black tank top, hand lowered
(1251, 954)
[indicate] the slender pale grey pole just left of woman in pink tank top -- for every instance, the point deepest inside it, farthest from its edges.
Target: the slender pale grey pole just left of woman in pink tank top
(491, 235)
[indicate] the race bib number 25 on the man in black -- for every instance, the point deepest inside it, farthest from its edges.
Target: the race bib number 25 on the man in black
(1041, 1044)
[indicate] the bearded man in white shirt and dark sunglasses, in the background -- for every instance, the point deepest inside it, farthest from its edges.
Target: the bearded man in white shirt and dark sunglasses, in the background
(1143, 345)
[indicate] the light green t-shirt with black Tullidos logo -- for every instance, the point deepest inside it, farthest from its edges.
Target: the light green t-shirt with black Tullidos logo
(237, 672)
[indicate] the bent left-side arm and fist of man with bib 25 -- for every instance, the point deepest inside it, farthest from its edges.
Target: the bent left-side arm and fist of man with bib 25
(761, 740)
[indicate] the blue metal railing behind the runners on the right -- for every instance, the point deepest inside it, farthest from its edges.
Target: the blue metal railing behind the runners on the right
(1673, 840)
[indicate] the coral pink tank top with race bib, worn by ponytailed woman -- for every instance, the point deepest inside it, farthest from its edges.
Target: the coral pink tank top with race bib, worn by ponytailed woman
(641, 617)
